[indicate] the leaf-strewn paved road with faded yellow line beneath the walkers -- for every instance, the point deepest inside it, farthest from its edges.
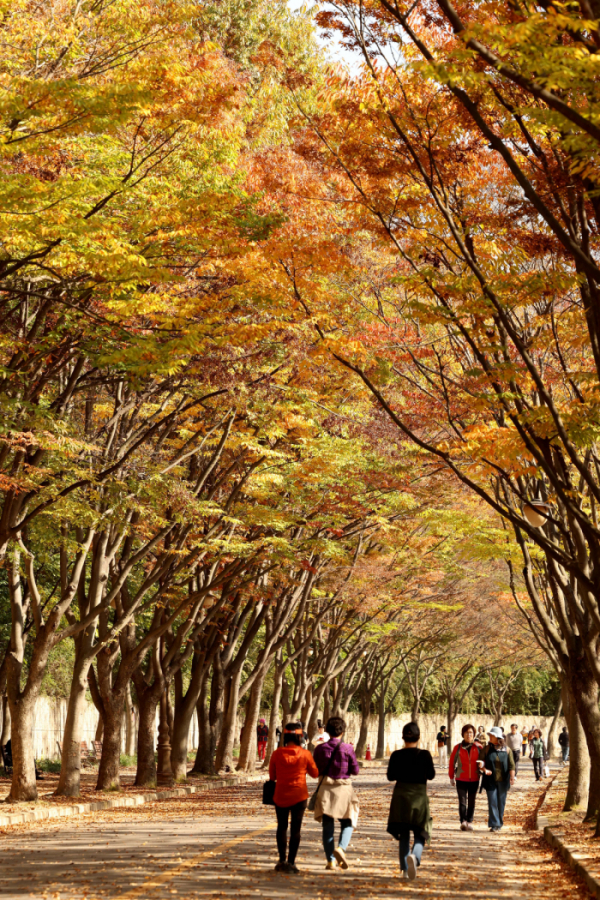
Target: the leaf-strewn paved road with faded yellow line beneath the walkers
(222, 845)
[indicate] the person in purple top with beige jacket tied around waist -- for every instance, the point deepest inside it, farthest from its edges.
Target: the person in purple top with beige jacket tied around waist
(336, 798)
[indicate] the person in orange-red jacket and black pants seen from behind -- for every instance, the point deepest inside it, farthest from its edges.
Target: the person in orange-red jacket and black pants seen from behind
(288, 768)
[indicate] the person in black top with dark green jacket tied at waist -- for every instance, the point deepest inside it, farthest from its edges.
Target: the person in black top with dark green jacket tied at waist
(411, 768)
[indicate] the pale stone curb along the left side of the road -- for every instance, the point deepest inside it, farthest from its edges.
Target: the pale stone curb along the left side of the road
(79, 809)
